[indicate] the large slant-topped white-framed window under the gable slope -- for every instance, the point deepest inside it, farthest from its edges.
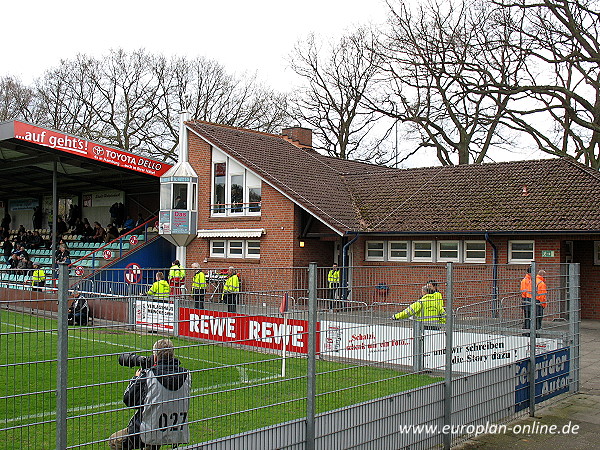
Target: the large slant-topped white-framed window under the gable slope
(236, 191)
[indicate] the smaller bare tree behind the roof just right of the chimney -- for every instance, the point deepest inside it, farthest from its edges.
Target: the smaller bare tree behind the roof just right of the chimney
(335, 83)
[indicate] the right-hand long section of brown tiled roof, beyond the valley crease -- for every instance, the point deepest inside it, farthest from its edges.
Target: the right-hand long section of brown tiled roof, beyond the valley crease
(561, 195)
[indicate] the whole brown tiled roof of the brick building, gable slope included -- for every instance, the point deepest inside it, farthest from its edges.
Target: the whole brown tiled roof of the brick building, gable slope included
(562, 195)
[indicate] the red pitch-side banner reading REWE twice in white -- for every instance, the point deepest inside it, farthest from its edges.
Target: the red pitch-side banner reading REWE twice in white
(256, 331)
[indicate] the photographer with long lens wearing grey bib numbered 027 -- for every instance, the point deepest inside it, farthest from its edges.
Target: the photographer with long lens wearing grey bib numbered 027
(161, 394)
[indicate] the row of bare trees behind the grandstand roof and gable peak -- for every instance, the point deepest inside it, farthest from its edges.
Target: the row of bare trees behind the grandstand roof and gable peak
(132, 100)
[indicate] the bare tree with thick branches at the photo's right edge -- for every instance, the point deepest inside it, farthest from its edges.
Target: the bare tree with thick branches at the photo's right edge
(562, 85)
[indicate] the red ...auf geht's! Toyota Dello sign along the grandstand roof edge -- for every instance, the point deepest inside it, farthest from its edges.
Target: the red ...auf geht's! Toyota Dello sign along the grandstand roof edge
(88, 149)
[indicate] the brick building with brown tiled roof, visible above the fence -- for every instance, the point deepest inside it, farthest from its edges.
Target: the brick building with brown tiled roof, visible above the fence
(269, 200)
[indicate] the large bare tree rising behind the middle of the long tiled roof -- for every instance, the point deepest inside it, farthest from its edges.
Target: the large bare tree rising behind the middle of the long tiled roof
(437, 62)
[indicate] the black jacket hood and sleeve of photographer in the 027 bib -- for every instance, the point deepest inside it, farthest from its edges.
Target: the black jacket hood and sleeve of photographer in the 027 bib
(170, 374)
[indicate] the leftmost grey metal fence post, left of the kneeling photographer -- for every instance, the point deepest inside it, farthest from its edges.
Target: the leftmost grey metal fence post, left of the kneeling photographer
(62, 357)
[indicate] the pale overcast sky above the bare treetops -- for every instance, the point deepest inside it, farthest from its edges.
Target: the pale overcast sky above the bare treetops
(244, 36)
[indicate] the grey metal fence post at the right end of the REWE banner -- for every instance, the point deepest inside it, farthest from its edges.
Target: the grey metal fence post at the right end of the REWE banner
(312, 357)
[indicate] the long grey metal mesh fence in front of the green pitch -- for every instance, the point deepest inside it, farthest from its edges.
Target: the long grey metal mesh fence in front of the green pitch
(293, 362)
